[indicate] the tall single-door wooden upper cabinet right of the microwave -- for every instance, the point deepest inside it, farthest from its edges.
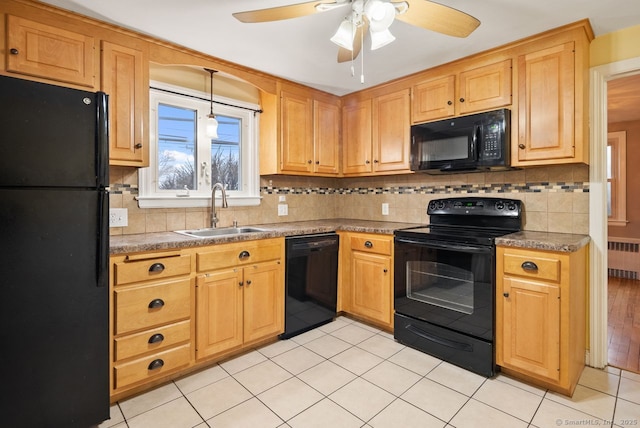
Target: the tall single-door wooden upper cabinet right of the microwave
(551, 124)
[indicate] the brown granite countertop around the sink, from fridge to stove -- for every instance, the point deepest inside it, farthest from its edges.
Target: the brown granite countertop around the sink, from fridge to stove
(120, 244)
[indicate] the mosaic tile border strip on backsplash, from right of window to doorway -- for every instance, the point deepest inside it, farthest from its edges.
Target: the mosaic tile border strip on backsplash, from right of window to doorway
(565, 187)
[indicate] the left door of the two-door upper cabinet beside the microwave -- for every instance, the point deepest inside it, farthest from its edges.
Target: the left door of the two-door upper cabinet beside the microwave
(356, 129)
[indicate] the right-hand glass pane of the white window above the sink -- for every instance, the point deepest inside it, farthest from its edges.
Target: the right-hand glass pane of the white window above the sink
(225, 153)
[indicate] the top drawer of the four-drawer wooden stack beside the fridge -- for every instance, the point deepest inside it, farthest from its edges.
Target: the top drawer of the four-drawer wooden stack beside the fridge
(142, 270)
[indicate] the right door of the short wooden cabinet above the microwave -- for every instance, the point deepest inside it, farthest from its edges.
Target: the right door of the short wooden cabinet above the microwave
(485, 88)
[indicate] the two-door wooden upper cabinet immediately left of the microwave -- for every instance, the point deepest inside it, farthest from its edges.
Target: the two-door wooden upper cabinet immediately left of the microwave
(377, 134)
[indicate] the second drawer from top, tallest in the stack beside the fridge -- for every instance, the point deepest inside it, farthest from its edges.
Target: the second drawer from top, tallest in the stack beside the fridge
(149, 305)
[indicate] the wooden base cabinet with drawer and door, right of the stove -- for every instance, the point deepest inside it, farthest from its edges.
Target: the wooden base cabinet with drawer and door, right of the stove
(541, 315)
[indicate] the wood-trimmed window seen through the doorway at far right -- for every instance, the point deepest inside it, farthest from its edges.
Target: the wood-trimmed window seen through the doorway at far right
(617, 178)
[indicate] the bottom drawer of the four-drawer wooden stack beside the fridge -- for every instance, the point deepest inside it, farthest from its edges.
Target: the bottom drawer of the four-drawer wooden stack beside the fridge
(152, 366)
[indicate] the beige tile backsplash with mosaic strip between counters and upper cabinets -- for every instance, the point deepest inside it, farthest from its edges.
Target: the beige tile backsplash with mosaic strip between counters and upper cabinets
(556, 199)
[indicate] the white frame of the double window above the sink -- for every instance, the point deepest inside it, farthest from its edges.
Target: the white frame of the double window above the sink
(150, 197)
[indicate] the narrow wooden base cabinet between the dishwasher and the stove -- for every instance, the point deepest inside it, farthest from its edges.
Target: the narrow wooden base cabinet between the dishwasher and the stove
(367, 277)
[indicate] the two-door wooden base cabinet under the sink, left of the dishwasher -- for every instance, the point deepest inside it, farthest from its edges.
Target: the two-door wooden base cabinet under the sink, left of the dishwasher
(239, 295)
